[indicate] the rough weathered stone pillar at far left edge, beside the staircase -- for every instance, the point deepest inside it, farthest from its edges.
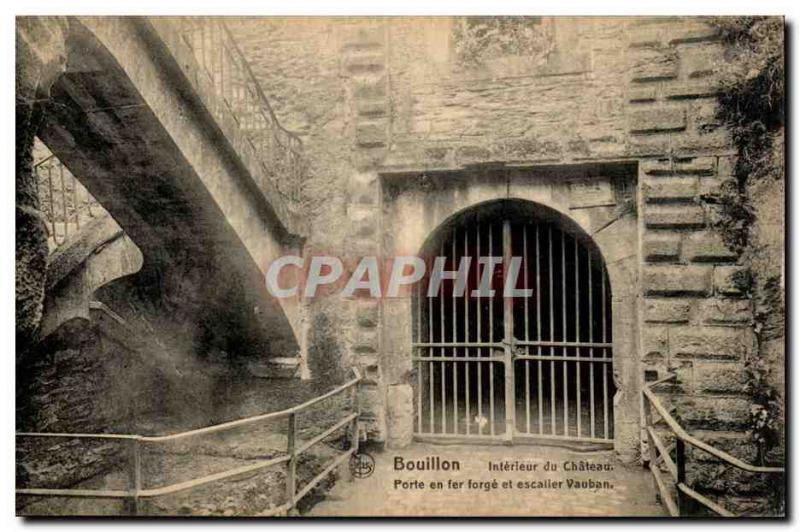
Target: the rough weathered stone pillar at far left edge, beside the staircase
(41, 56)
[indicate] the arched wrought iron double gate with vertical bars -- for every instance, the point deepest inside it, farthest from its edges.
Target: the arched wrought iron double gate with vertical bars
(503, 368)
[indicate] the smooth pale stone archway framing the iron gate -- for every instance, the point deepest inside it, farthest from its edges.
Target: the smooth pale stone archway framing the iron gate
(414, 215)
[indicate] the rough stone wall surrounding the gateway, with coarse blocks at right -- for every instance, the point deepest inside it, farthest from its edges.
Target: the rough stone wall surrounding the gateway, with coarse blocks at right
(386, 98)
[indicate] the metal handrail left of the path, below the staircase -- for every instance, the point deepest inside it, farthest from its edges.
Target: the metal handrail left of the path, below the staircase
(135, 492)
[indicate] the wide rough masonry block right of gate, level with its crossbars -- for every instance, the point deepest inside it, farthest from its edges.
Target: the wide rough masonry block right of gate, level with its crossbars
(720, 343)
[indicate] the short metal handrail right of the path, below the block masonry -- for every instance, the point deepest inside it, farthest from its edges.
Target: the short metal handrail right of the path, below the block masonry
(677, 468)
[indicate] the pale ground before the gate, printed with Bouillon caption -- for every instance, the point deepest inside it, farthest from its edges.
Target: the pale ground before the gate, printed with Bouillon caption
(629, 491)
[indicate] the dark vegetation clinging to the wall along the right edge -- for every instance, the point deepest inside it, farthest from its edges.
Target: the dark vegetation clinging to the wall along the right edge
(751, 107)
